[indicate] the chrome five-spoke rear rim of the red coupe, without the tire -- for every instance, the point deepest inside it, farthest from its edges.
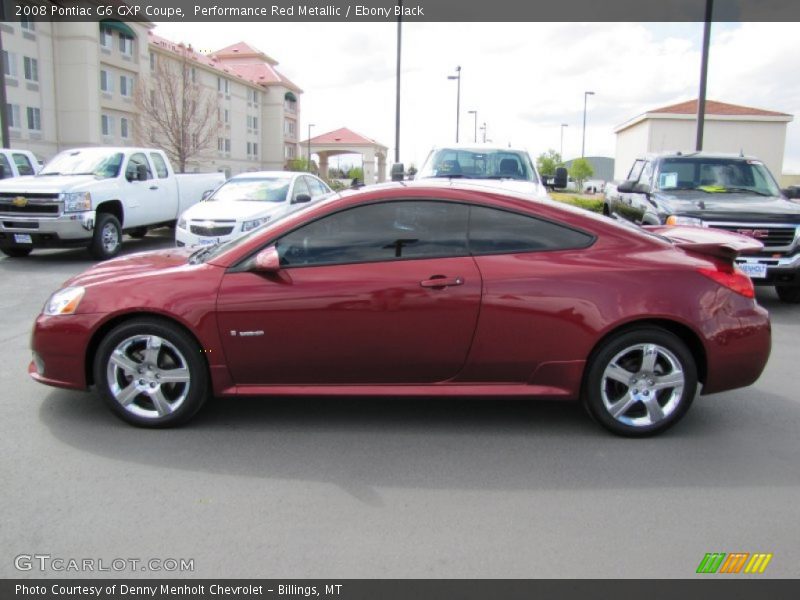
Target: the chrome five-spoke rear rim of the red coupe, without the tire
(642, 385)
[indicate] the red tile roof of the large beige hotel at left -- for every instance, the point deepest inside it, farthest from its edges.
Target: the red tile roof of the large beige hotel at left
(258, 73)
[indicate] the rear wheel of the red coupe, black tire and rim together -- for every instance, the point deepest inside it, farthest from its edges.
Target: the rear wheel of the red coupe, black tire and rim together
(646, 404)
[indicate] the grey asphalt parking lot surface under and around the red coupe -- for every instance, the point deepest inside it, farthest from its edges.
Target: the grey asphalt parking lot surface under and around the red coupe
(391, 488)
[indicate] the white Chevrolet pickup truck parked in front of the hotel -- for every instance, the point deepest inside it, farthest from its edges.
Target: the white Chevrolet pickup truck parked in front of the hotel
(90, 196)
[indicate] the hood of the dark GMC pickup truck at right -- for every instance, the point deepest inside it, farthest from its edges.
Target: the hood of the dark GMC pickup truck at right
(731, 207)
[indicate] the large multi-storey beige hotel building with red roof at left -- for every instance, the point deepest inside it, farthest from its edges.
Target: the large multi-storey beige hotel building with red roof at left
(74, 84)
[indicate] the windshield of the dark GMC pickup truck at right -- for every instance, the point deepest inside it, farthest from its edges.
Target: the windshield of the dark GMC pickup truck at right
(716, 175)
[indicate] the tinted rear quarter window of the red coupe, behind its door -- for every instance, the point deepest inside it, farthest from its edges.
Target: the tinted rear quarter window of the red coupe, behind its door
(493, 231)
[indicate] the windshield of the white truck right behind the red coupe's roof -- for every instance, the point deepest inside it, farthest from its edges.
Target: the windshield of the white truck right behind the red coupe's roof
(478, 164)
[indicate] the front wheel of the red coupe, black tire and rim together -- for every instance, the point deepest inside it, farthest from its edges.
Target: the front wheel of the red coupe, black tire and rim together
(135, 386)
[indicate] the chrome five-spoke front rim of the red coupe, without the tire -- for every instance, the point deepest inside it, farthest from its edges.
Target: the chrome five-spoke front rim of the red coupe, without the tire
(148, 376)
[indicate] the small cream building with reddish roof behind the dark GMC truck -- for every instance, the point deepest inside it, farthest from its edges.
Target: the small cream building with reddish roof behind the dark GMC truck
(728, 128)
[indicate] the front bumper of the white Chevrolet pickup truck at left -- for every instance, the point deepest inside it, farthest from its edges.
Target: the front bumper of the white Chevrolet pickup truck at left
(69, 229)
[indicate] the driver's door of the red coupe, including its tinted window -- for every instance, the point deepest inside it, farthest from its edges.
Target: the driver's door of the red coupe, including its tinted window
(379, 293)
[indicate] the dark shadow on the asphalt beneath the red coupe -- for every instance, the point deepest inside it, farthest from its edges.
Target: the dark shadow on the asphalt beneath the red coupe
(363, 445)
